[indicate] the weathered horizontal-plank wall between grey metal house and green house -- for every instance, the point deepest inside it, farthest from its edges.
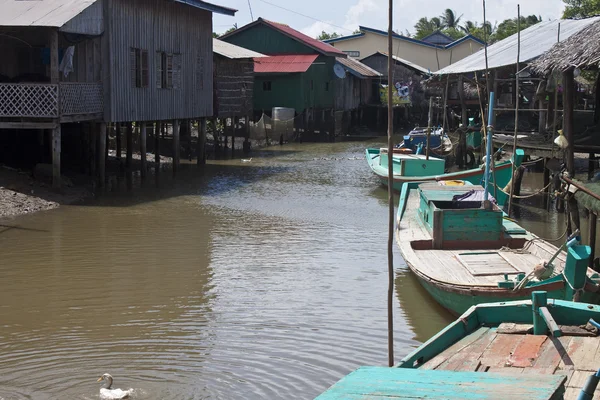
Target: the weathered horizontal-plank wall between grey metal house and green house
(234, 87)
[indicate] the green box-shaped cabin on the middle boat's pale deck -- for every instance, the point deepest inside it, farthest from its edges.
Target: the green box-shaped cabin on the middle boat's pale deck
(457, 215)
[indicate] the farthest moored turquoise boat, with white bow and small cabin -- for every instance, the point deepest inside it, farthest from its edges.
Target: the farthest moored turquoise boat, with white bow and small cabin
(416, 168)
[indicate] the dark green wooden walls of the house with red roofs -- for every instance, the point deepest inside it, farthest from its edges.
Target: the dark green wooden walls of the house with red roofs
(288, 90)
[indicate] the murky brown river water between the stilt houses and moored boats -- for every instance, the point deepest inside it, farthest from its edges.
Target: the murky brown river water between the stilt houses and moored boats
(261, 279)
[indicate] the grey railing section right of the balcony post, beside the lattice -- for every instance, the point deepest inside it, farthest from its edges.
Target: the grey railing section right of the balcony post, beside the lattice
(81, 98)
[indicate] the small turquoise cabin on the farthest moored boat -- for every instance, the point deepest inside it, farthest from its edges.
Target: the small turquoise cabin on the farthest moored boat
(412, 164)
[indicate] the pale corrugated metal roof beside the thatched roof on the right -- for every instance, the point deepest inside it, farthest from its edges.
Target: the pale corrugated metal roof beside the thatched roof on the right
(535, 41)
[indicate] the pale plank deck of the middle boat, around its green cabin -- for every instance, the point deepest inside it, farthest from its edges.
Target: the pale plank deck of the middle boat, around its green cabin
(483, 268)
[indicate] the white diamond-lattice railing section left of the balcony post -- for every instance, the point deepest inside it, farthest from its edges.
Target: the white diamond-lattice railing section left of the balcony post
(34, 100)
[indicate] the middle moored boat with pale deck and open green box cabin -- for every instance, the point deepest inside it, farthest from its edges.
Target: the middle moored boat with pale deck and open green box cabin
(465, 251)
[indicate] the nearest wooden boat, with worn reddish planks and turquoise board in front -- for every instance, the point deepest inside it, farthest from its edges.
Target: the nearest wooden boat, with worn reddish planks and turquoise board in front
(528, 349)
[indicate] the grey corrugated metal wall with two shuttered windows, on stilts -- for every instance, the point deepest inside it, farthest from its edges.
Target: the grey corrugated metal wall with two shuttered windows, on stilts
(158, 26)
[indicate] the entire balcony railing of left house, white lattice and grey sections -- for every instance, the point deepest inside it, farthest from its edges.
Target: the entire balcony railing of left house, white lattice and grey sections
(42, 100)
